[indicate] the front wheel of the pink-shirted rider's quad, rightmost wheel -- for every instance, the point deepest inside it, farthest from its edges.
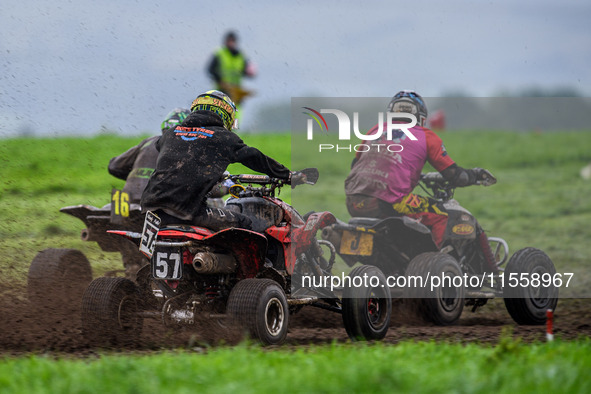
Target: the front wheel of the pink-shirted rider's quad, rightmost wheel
(527, 305)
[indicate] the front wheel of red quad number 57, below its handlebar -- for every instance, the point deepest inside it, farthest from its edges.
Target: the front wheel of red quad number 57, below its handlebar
(367, 304)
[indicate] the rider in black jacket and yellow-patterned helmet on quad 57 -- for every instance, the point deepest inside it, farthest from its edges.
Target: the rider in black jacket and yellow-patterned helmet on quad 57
(193, 158)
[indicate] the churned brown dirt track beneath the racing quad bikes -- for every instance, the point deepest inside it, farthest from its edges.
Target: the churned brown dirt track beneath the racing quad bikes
(26, 331)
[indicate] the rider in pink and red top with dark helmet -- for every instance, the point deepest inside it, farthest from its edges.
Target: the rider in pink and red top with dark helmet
(381, 181)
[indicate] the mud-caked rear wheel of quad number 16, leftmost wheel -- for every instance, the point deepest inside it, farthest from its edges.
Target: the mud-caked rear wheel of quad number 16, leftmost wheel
(56, 282)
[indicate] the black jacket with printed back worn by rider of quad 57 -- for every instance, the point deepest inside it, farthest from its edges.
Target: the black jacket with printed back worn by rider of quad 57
(193, 157)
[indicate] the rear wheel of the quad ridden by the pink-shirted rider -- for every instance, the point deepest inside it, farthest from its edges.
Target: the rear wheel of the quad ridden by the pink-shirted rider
(442, 305)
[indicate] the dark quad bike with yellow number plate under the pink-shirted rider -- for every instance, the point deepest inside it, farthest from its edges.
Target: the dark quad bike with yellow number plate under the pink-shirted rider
(402, 247)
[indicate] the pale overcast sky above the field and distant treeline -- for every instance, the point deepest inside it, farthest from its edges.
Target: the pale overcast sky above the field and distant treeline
(79, 66)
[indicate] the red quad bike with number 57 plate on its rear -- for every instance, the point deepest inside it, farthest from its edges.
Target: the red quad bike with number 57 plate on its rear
(249, 279)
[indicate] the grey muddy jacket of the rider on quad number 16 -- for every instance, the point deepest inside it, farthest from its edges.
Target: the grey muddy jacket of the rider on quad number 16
(135, 167)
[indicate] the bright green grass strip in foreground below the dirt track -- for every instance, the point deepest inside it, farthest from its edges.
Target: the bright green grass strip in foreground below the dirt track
(429, 367)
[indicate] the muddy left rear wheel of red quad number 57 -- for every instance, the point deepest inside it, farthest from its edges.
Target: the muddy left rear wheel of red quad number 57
(110, 309)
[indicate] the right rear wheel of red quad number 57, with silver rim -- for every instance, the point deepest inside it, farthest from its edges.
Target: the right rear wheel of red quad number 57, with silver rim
(259, 306)
